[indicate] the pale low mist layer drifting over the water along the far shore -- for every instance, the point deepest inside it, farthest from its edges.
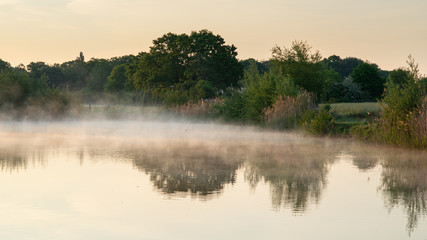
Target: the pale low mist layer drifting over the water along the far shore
(84, 132)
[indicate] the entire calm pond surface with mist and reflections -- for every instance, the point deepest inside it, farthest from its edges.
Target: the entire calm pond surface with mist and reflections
(177, 180)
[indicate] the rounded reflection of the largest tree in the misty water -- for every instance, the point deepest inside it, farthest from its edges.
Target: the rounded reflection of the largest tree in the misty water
(198, 170)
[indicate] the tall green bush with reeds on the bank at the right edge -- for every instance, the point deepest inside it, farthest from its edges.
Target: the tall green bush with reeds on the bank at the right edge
(404, 118)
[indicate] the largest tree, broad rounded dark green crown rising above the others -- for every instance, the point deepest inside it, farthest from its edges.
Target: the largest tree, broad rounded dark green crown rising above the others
(179, 63)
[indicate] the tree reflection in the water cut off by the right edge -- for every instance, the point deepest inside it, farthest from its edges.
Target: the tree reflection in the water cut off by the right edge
(404, 183)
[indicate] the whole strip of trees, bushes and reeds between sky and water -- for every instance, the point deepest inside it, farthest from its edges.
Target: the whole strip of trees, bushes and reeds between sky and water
(198, 75)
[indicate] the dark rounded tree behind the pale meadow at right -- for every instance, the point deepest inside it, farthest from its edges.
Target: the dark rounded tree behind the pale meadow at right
(367, 76)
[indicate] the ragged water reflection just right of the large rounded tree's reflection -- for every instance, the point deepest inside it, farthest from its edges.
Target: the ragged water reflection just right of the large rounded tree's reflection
(296, 174)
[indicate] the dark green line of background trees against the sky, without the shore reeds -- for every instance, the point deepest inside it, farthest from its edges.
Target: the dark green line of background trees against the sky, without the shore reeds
(180, 68)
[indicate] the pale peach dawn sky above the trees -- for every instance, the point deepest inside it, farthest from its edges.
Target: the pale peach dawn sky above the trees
(384, 32)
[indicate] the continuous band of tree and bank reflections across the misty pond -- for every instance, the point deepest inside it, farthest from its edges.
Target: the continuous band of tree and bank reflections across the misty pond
(294, 169)
